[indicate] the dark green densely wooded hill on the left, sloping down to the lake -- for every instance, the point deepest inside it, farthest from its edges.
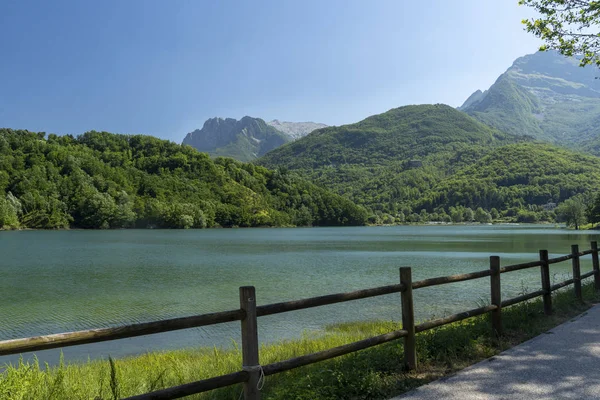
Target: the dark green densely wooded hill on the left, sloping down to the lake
(104, 180)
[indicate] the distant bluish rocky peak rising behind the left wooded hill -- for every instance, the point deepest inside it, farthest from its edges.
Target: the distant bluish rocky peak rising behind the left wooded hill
(243, 140)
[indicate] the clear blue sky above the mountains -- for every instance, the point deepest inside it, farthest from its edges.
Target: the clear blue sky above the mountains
(163, 67)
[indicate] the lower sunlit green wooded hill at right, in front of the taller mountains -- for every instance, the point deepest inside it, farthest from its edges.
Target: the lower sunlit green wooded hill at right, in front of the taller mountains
(520, 176)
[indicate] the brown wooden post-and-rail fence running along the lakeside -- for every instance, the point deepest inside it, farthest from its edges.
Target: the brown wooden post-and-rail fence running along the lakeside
(248, 314)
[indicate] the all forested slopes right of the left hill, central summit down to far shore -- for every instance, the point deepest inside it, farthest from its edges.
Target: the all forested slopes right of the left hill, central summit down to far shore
(417, 161)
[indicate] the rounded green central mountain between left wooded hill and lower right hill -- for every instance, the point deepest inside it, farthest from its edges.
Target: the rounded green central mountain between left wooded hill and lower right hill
(388, 161)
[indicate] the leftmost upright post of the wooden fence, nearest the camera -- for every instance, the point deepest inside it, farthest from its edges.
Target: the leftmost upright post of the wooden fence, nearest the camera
(250, 342)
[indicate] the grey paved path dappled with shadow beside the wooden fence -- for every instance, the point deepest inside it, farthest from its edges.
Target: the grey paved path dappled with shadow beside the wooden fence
(563, 363)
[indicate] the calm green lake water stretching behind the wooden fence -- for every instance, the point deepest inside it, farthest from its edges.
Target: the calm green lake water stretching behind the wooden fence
(58, 281)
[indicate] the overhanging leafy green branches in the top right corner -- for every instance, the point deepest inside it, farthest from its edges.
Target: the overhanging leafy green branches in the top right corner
(569, 26)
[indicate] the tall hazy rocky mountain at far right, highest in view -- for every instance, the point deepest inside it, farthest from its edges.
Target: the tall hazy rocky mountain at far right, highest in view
(544, 95)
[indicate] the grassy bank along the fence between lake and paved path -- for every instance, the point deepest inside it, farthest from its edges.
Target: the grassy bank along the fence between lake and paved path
(369, 374)
